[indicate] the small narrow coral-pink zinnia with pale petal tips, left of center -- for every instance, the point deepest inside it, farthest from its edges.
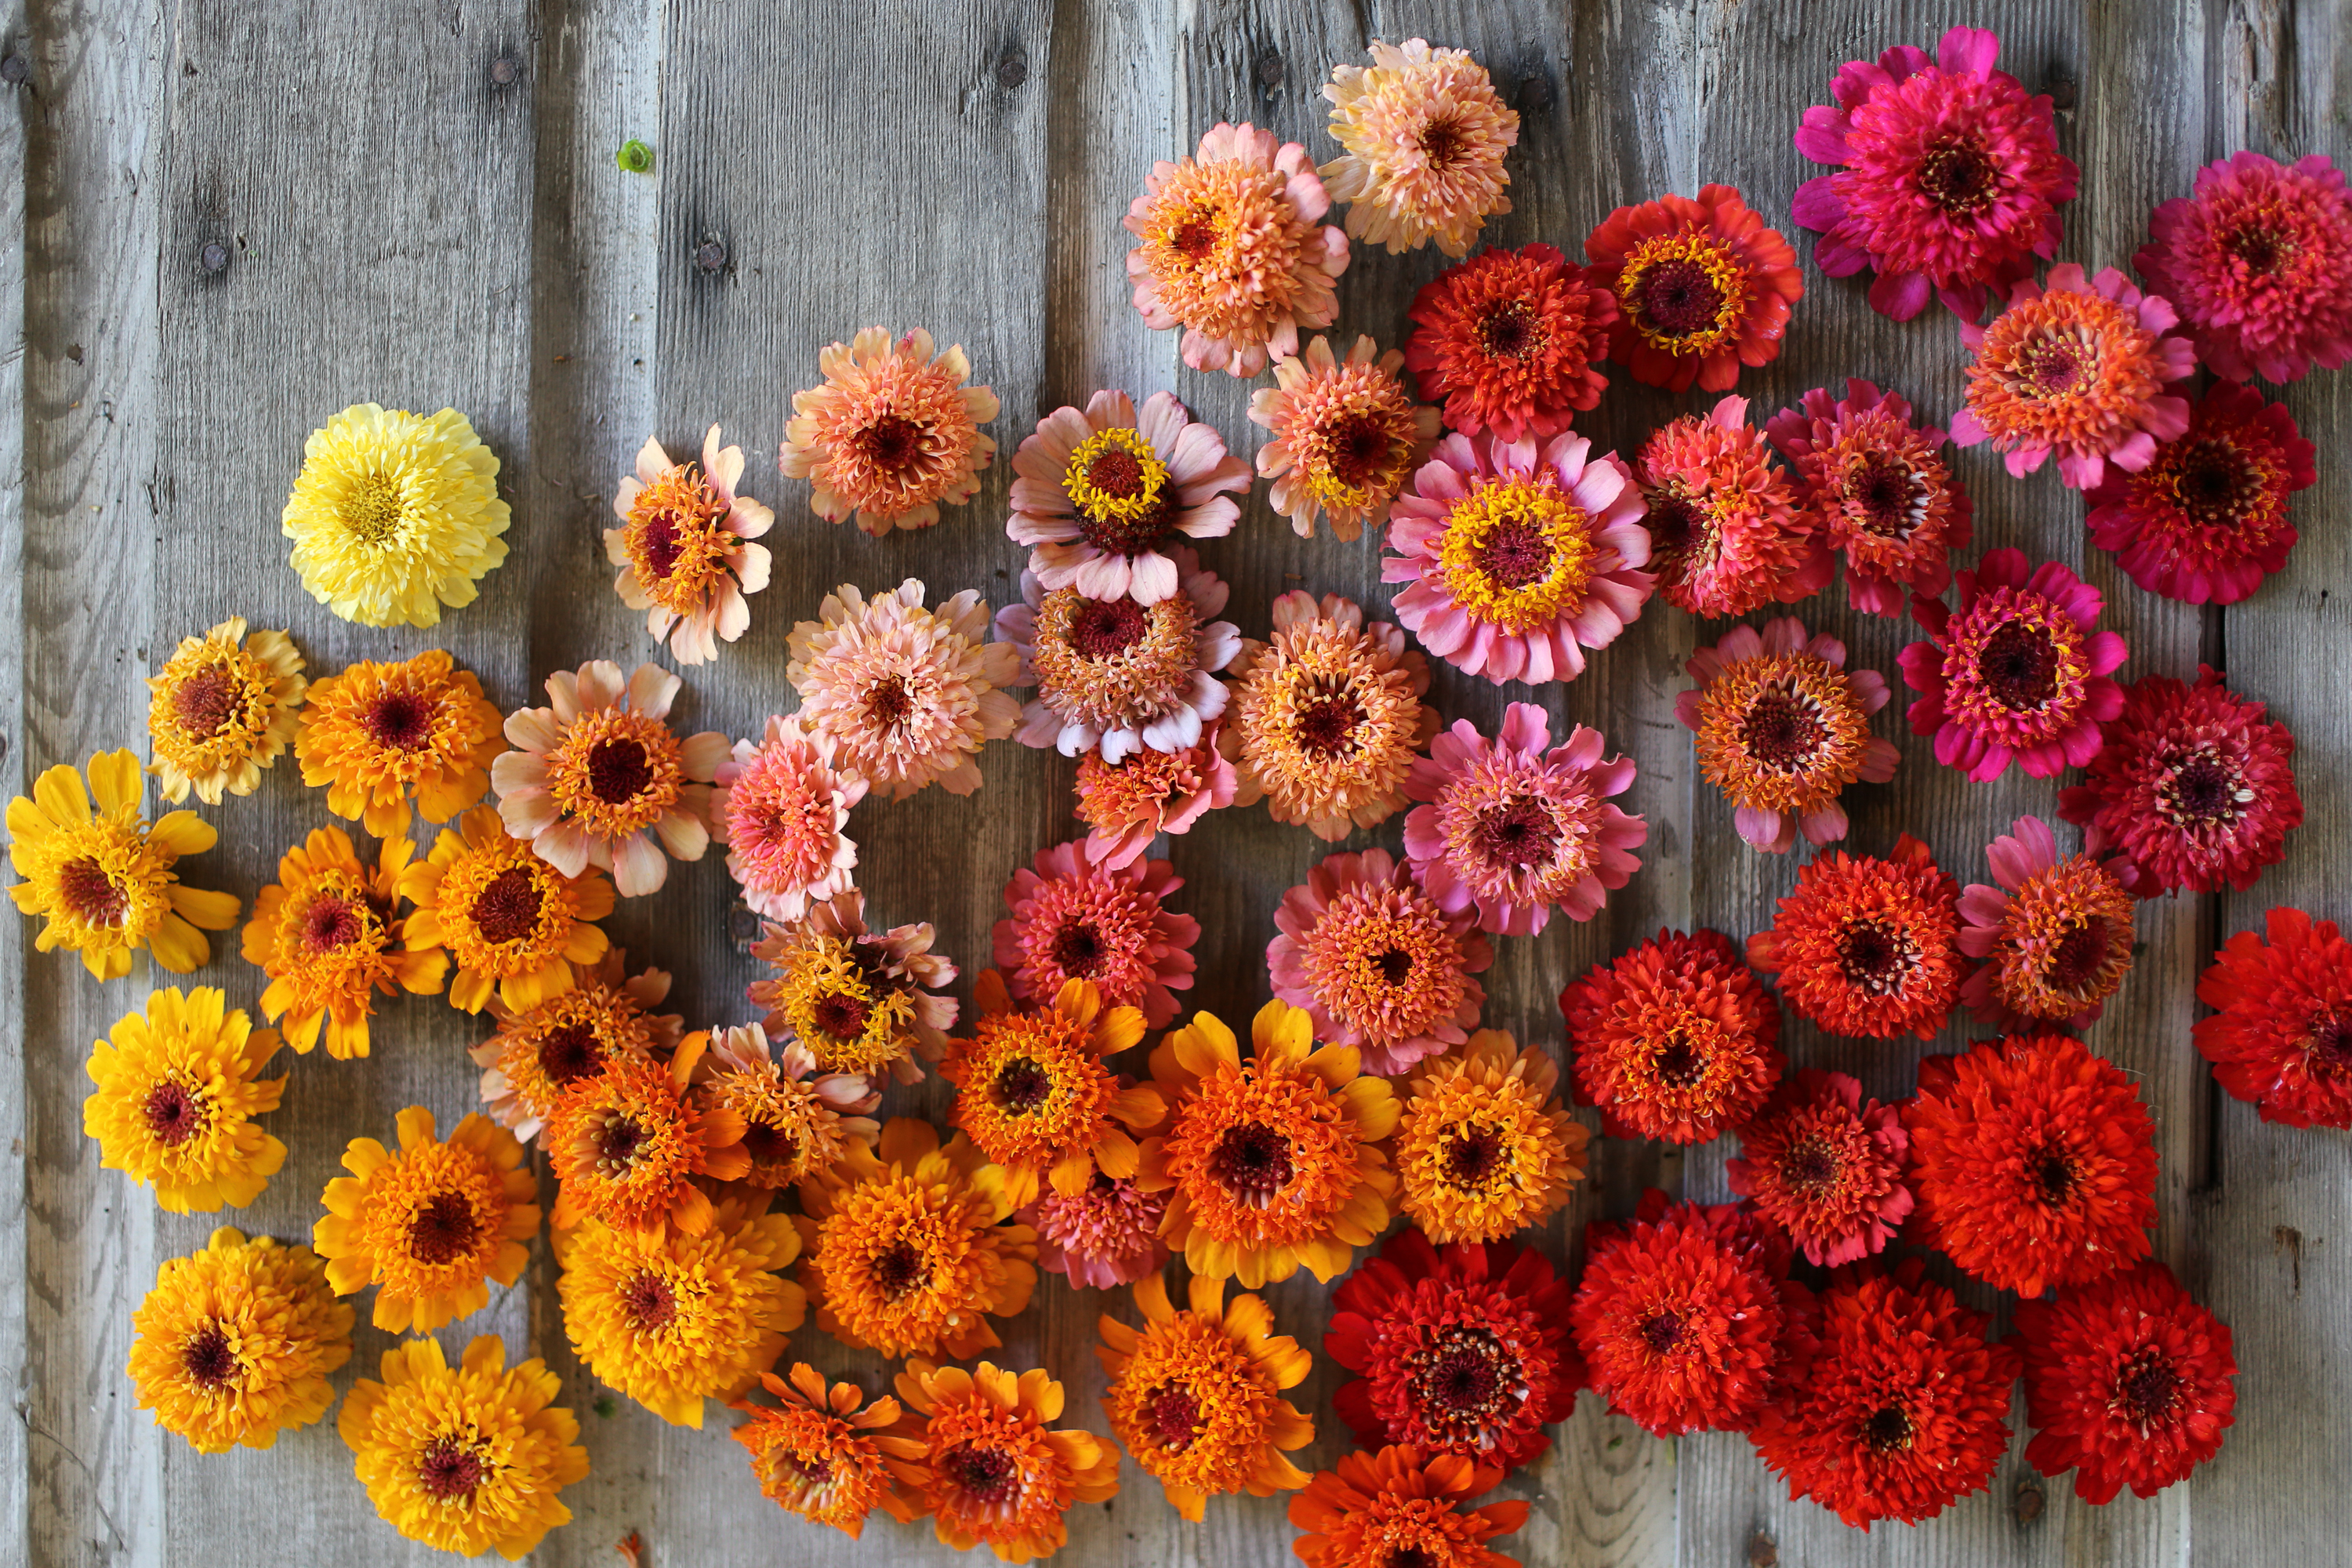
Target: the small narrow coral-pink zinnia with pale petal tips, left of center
(780, 812)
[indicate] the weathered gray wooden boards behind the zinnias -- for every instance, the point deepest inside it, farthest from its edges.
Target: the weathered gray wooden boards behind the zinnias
(417, 203)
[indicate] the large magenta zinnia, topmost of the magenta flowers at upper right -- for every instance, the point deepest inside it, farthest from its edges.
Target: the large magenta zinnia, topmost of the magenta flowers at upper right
(1949, 177)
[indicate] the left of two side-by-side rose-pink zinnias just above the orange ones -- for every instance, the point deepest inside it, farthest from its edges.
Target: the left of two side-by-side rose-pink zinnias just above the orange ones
(1076, 920)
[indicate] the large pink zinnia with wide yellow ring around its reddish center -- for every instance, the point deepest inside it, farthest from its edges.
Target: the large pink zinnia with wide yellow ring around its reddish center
(1518, 561)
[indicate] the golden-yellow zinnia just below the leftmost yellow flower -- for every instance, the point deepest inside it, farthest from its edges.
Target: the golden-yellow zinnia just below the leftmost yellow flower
(175, 1104)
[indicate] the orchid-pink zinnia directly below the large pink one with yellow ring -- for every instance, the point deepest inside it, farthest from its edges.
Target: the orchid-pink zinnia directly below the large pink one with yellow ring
(1516, 829)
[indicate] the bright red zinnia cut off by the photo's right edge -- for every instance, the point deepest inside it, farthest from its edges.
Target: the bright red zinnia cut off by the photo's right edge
(2280, 1036)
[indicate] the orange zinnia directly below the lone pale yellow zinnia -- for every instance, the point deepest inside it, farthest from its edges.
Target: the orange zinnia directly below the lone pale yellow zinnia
(382, 732)
